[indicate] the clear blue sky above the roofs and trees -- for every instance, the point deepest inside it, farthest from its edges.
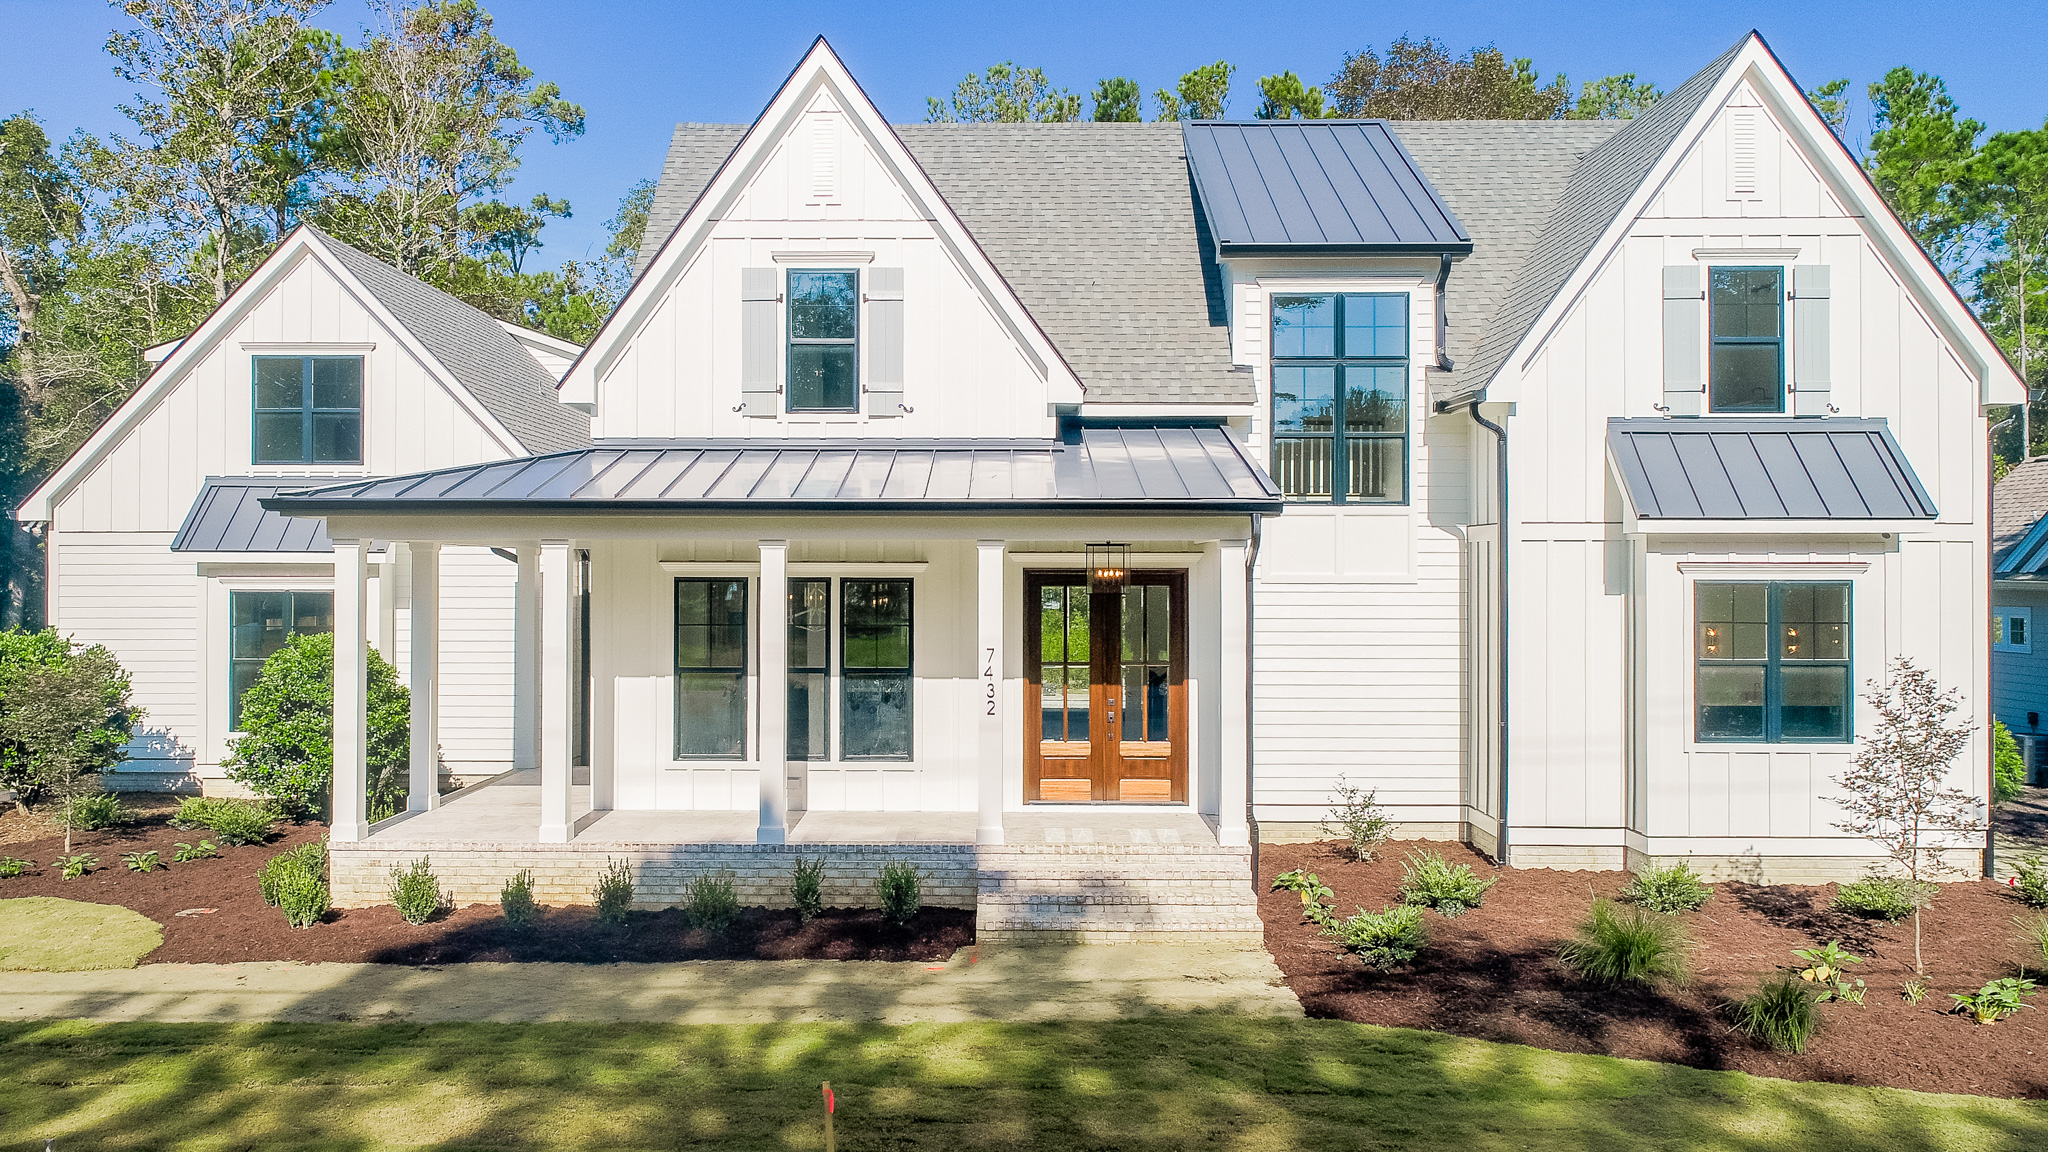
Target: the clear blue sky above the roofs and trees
(642, 67)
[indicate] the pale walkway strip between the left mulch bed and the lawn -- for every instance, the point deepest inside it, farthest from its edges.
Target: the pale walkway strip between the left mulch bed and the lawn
(990, 983)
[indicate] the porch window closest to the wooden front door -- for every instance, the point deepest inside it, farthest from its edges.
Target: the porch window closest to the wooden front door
(876, 677)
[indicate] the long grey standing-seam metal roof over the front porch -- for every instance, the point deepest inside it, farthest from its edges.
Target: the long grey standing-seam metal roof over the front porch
(1183, 470)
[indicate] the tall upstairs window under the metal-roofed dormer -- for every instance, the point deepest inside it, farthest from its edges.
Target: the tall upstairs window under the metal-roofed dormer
(1340, 397)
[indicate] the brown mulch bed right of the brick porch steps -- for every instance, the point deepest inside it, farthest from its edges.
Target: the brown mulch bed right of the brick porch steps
(1494, 975)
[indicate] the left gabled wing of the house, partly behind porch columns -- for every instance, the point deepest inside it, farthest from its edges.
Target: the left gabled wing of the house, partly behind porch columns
(325, 366)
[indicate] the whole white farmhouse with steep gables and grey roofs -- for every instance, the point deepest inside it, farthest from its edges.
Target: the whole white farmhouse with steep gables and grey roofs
(1062, 503)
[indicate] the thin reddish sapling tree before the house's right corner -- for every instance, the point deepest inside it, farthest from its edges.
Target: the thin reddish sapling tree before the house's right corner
(1895, 790)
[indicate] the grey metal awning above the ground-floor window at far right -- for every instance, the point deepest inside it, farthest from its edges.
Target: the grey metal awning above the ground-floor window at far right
(1766, 470)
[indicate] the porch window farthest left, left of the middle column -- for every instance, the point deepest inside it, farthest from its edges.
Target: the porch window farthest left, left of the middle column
(712, 669)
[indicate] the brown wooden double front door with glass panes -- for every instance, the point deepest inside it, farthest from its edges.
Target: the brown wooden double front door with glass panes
(1107, 690)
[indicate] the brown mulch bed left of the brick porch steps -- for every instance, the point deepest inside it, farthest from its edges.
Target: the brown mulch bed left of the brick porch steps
(243, 928)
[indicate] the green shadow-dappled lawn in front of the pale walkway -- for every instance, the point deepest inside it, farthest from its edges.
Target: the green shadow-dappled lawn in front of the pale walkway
(1168, 1083)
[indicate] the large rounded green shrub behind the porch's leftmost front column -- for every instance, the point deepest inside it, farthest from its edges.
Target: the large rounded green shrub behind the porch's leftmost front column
(288, 723)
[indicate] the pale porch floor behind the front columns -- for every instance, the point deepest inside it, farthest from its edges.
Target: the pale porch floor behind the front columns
(509, 813)
